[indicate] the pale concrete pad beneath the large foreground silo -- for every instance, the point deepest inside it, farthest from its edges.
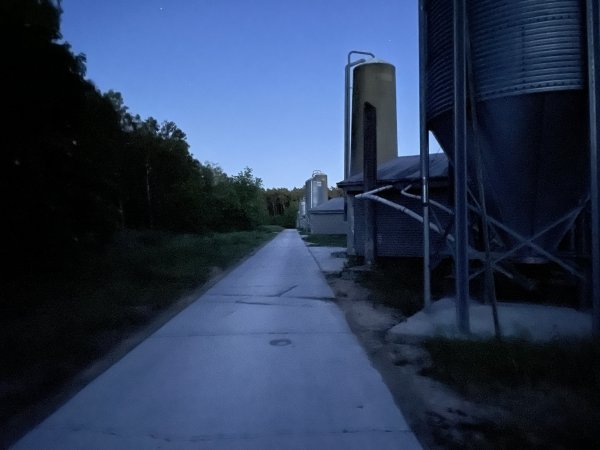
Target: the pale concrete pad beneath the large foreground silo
(517, 320)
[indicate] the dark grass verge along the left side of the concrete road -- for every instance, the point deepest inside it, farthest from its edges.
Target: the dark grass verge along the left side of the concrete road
(57, 322)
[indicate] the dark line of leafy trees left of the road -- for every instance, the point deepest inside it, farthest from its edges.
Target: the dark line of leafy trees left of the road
(78, 165)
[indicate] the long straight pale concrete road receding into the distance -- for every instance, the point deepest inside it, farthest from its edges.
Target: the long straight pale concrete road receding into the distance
(263, 360)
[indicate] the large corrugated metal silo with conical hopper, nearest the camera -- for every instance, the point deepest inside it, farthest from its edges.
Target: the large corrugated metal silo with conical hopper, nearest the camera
(528, 67)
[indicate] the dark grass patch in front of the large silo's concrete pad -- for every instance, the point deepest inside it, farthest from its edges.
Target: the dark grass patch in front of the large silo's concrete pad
(551, 391)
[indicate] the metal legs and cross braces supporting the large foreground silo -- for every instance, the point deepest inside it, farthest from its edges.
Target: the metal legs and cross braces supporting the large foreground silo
(461, 244)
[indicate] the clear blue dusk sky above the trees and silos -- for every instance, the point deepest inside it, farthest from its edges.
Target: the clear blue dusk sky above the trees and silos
(257, 83)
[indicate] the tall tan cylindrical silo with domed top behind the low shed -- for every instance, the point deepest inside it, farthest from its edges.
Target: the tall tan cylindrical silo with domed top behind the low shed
(375, 82)
